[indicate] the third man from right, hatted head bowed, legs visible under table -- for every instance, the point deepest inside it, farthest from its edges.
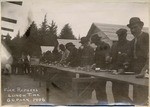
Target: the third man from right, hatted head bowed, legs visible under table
(100, 60)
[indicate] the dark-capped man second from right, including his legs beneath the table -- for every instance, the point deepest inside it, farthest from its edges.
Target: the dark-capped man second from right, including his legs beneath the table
(120, 60)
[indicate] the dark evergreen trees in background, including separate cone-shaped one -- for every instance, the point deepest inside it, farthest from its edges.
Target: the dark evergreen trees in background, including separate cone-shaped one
(35, 37)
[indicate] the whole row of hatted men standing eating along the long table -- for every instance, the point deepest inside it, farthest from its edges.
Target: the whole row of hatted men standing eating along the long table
(122, 56)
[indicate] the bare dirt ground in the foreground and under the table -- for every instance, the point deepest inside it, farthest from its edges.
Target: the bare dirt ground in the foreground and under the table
(16, 87)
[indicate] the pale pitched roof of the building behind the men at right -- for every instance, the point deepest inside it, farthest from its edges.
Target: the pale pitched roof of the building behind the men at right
(110, 30)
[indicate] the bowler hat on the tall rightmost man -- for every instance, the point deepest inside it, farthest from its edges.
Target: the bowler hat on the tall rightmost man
(135, 20)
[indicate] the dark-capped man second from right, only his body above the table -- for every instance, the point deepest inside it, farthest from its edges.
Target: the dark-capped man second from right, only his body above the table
(120, 50)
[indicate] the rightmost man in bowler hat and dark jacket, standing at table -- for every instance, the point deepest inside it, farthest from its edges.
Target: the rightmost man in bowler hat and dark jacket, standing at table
(139, 55)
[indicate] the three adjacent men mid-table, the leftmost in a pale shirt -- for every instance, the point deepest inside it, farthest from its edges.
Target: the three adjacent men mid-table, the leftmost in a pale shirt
(74, 57)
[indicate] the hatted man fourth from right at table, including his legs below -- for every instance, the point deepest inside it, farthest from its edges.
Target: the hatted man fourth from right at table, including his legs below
(85, 56)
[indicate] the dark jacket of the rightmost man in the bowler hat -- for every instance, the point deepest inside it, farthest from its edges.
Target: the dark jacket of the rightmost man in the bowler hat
(142, 49)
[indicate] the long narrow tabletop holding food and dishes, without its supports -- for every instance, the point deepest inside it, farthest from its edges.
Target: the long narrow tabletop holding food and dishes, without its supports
(131, 79)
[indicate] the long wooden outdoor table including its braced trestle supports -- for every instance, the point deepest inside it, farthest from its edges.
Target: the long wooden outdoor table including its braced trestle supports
(62, 75)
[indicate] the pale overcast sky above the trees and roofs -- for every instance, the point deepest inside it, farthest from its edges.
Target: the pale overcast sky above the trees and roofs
(80, 14)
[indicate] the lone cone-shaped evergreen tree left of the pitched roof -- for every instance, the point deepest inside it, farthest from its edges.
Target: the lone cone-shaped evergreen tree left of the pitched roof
(66, 33)
